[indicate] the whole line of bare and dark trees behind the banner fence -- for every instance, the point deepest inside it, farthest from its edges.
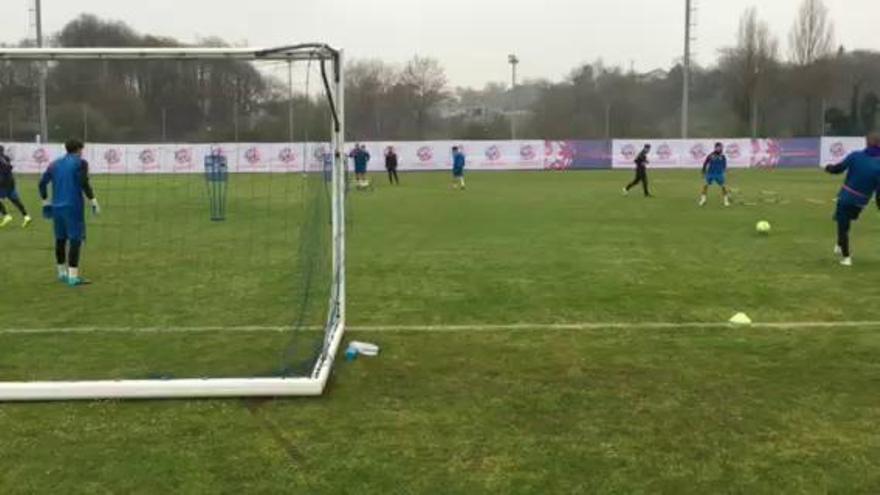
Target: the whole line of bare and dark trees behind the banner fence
(752, 89)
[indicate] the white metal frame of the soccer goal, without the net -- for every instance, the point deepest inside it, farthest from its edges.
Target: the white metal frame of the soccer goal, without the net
(316, 381)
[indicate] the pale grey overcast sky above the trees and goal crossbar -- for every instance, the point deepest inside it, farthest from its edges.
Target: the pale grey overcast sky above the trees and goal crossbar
(472, 38)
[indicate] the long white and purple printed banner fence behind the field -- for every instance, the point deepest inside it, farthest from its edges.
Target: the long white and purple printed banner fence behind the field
(185, 158)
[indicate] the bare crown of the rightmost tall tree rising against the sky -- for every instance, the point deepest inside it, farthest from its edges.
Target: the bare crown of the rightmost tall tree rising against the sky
(812, 36)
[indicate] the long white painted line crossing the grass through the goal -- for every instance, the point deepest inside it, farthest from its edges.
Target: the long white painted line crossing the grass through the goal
(513, 327)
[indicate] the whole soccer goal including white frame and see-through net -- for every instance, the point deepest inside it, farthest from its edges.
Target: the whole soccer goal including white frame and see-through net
(217, 263)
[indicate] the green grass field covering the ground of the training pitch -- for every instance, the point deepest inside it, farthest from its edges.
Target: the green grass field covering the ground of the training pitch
(619, 407)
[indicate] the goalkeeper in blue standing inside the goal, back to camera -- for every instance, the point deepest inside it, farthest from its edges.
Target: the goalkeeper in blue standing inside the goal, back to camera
(69, 177)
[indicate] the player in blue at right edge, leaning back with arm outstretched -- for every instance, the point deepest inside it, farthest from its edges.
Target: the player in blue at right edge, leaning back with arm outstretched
(862, 181)
